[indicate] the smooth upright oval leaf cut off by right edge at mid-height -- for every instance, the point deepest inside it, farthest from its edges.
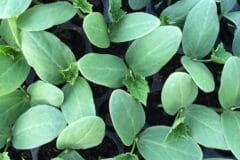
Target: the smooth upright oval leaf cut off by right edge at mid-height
(229, 91)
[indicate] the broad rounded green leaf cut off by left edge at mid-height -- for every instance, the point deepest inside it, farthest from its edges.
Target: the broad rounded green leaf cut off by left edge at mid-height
(13, 70)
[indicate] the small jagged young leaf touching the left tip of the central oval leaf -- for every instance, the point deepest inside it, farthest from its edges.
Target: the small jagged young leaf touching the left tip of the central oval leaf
(71, 73)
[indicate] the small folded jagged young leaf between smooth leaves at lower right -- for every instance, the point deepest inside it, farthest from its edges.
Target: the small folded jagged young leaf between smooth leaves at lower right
(179, 129)
